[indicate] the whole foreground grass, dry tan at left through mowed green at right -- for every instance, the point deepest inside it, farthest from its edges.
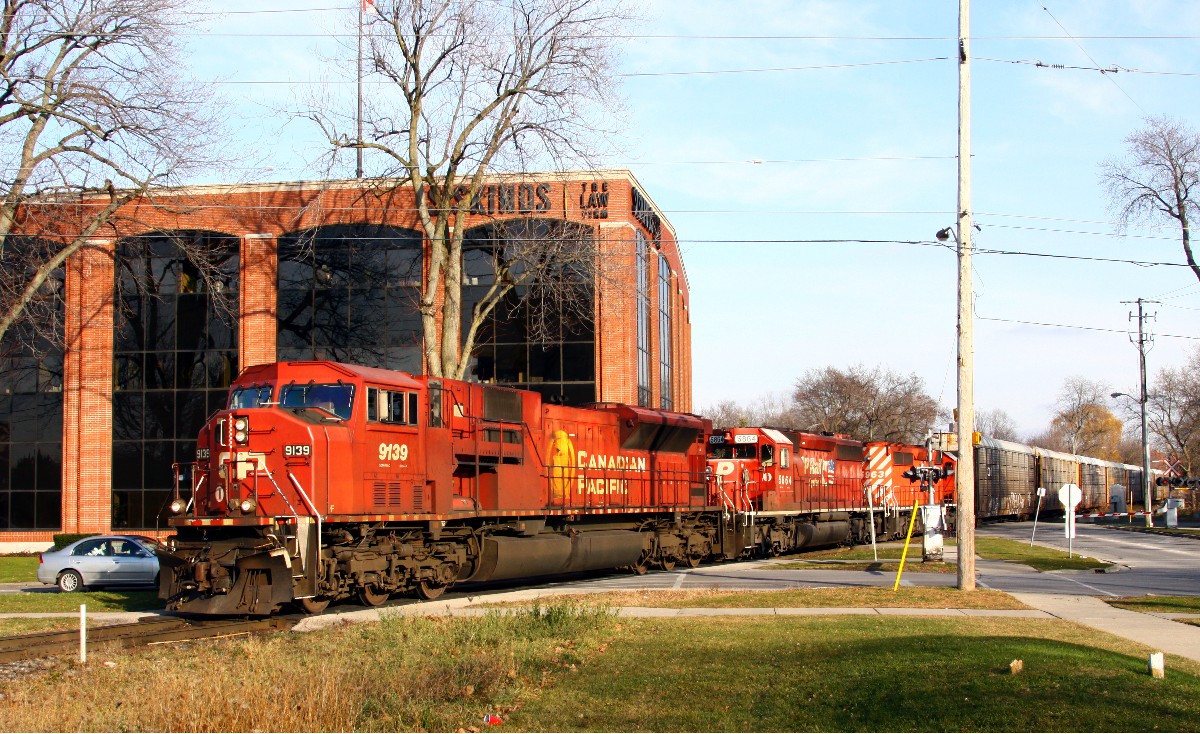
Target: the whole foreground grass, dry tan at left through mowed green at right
(571, 669)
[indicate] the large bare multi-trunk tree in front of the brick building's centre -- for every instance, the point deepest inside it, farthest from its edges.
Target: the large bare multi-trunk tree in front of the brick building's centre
(477, 87)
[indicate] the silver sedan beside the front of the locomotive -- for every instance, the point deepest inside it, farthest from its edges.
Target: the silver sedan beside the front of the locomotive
(117, 561)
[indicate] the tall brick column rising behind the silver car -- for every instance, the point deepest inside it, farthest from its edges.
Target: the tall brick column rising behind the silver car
(88, 390)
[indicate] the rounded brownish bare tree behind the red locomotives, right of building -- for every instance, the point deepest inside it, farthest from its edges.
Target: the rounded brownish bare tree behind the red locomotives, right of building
(868, 405)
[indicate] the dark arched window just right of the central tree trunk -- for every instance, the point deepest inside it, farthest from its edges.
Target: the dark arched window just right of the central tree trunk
(542, 336)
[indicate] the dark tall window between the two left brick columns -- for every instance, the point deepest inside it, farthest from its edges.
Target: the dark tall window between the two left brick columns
(176, 352)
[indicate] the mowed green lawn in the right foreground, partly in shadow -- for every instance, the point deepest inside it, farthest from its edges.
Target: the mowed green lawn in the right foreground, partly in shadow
(865, 675)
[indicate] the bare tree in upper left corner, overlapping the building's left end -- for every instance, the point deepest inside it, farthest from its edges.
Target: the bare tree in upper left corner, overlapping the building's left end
(92, 116)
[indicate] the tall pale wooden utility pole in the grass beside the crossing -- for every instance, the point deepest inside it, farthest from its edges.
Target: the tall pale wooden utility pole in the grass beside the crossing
(964, 476)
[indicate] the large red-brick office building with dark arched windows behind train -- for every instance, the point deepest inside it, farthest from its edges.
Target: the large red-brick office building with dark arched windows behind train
(314, 270)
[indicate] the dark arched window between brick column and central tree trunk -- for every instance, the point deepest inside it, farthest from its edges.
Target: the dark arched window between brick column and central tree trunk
(350, 293)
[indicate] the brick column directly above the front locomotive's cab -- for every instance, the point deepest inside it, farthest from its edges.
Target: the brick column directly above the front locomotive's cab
(259, 286)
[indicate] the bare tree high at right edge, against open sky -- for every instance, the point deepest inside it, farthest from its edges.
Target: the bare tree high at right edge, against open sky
(1159, 178)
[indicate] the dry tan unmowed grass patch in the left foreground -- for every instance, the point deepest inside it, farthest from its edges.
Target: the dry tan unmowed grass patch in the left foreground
(401, 675)
